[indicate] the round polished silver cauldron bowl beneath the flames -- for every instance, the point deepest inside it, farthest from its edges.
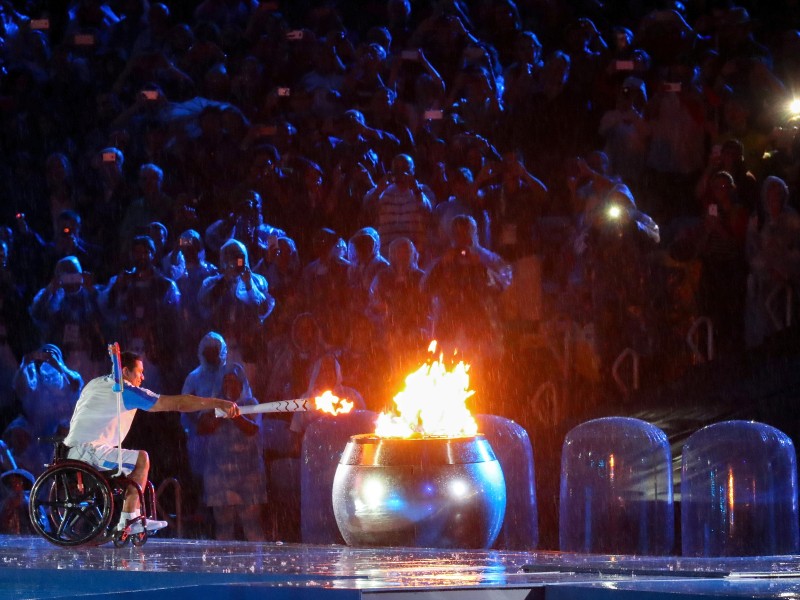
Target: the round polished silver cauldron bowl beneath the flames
(431, 492)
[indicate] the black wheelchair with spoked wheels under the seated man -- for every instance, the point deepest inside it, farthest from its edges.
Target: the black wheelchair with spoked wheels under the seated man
(75, 504)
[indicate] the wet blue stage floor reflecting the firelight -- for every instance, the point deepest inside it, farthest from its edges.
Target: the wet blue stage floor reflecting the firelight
(181, 569)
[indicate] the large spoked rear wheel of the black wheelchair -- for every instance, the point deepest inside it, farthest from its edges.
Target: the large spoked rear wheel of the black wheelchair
(71, 504)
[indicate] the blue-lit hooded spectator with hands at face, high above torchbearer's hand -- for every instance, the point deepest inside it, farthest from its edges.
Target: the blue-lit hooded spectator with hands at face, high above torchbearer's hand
(236, 302)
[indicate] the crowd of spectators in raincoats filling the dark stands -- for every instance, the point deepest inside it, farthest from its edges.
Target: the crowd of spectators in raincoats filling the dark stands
(303, 194)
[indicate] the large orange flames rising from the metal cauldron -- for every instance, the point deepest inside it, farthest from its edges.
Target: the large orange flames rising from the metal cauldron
(433, 403)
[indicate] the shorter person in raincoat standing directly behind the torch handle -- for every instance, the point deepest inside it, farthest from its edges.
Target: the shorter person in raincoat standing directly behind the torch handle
(234, 482)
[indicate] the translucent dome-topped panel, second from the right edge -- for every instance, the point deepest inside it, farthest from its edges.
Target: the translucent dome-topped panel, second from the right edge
(616, 489)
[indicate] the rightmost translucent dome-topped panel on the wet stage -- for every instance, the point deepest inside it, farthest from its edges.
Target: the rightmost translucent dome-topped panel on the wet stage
(739, 491)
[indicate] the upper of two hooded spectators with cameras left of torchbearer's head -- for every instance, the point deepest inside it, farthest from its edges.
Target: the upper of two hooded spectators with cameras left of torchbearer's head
(66, 313)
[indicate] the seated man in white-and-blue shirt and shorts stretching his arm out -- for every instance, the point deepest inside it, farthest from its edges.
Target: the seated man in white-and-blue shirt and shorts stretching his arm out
(97, 428)
